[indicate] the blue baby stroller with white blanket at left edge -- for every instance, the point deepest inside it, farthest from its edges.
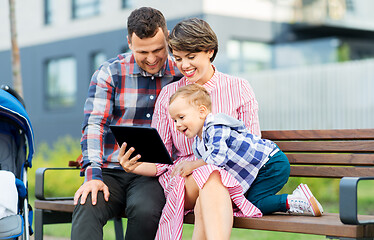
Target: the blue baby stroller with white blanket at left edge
(16, 152)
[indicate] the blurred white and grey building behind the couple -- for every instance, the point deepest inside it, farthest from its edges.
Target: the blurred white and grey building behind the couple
(63, 42)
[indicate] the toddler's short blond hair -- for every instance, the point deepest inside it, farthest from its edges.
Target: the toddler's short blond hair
(195, 94)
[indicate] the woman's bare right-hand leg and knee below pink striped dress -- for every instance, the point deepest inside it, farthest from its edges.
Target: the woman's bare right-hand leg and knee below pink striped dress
(216, 208)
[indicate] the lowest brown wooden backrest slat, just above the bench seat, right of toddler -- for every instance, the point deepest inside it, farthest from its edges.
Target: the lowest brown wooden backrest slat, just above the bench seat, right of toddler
(331, 172)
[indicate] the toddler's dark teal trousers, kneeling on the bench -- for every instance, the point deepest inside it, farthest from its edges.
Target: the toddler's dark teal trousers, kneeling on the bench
(270, 180)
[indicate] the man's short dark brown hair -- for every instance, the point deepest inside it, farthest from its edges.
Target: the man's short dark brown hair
(144, 22)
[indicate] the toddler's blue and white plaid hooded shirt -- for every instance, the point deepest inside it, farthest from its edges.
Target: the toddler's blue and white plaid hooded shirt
(228, 144)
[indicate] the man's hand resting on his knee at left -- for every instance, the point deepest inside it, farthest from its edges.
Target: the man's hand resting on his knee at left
(93, 187)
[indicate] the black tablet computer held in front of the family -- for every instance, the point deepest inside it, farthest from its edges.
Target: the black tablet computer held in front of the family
(146, 141)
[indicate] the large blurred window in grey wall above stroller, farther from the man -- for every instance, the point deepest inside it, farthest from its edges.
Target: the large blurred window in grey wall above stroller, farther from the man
(61, 83)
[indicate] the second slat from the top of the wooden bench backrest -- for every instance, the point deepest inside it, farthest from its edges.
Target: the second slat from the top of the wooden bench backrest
(328, 146)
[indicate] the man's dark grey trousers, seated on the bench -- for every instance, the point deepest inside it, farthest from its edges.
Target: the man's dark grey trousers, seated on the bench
(141, 197)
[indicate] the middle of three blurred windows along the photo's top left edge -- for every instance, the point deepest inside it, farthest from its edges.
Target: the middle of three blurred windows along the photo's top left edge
(85, 8)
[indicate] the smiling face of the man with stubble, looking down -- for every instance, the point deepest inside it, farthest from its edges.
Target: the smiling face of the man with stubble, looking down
(150, 53)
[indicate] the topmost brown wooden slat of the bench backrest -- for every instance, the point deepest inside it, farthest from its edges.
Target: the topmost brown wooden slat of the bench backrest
(339, 134)
